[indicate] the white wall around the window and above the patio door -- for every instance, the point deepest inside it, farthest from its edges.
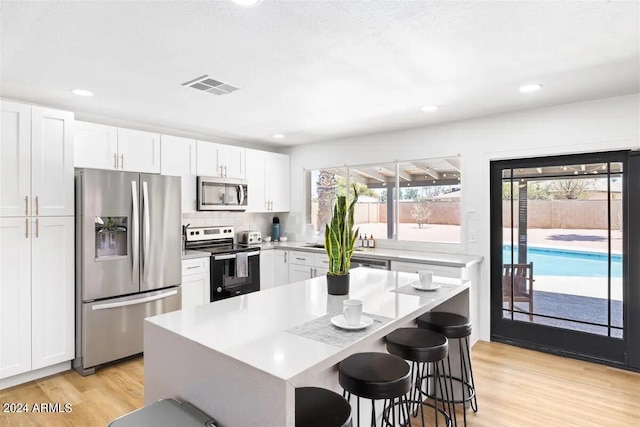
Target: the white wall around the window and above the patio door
(601, 125)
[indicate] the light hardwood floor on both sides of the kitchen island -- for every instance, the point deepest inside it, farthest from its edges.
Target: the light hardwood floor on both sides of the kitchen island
(516, 387)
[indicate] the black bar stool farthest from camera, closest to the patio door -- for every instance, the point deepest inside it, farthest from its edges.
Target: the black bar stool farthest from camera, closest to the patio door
(455, 326)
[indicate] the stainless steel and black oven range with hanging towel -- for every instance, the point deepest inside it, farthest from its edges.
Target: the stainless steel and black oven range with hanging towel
(234, 269)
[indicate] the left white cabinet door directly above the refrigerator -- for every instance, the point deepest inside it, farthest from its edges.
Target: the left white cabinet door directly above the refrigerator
(96, 146)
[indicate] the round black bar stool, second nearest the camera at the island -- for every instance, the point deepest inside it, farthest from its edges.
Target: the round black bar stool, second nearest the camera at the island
(377, 376)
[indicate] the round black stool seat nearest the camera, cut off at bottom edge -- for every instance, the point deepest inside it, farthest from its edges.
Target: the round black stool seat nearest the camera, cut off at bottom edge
(319, 407)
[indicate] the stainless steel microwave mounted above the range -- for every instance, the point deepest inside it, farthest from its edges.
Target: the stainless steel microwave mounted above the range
(221, 194)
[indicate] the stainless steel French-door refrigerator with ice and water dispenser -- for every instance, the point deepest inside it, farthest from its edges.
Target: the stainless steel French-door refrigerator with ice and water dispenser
(128, 260)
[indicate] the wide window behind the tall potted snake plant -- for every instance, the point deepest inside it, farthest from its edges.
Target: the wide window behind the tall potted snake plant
(427, 209)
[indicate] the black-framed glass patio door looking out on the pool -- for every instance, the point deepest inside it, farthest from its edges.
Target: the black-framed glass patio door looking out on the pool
(560, 254)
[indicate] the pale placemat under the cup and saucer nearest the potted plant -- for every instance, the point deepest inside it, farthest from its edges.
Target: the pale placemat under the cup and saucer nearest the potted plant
(321, 329)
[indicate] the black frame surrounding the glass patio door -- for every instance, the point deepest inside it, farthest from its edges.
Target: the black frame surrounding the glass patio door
(611, 351)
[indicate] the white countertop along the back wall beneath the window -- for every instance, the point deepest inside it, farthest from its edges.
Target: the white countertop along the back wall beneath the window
(435, 258)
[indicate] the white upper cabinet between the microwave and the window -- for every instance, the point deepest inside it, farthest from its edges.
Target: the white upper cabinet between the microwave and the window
(268, 180)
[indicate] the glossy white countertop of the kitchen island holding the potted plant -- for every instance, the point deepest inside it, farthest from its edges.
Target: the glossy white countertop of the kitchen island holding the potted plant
(252, 328)
